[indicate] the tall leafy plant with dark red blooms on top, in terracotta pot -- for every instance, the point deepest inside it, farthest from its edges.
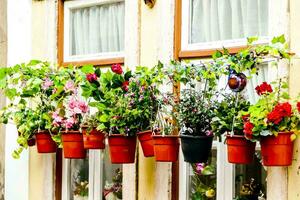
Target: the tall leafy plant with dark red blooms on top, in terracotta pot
(117, 114)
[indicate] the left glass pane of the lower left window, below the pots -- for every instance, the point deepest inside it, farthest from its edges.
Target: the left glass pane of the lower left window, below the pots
(79, 174)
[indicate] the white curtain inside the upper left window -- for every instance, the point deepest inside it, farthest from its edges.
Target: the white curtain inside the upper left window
(97, 29)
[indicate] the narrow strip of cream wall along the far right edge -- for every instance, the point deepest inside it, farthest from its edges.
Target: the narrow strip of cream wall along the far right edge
(294, 170)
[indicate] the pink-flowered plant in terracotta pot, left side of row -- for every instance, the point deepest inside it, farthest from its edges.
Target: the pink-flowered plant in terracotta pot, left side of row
(70, 111)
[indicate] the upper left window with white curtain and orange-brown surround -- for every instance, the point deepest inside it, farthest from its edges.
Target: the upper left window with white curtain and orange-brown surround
(91, 31)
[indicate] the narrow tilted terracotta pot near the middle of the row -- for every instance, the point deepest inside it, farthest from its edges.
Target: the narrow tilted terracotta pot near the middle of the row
(146, 141)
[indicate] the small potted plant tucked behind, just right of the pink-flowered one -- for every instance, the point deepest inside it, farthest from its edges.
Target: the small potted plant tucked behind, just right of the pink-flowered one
(92, 138)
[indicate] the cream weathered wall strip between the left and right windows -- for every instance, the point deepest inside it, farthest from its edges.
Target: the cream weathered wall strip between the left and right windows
(157, 26)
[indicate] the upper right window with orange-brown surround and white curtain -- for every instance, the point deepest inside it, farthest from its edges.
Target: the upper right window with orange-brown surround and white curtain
(206, 25)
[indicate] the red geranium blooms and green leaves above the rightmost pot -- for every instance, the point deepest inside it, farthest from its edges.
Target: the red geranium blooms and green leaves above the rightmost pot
(272, 113)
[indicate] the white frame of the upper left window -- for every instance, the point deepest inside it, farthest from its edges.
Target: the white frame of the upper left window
(68, 6)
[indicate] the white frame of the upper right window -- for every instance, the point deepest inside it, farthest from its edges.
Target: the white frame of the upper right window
(185, 34)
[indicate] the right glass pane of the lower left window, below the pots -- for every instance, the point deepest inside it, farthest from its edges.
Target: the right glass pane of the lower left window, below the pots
(112, 178)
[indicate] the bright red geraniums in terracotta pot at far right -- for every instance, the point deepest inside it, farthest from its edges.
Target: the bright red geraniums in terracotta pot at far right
(273, 120)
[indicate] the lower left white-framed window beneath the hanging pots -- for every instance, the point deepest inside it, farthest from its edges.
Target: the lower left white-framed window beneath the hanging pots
(93, 178)
